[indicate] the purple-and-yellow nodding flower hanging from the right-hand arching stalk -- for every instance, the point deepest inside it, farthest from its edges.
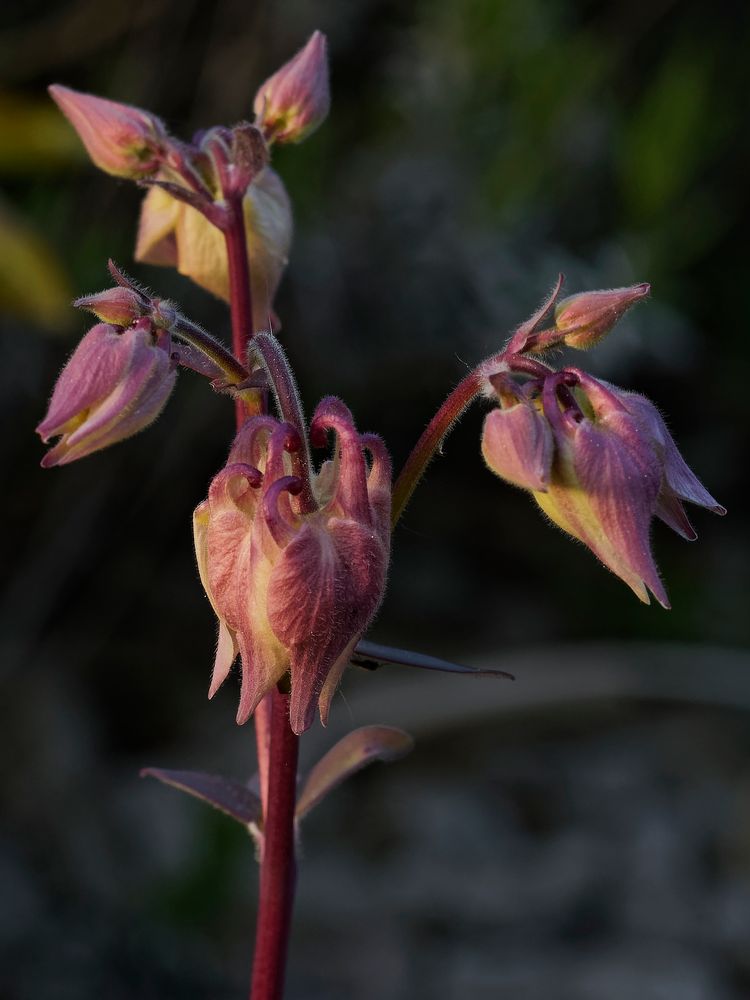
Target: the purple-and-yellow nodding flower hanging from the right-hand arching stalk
(599, 462)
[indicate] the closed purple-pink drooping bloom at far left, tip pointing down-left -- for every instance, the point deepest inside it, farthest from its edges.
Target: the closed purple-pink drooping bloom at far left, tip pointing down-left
(115, 384)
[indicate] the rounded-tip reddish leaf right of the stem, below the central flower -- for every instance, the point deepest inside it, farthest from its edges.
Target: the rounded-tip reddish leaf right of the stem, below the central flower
(355, 751)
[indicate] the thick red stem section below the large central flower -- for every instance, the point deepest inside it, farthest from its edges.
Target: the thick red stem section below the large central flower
(278, 868)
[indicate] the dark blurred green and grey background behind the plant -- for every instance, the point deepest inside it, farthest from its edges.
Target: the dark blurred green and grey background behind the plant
(581, 833)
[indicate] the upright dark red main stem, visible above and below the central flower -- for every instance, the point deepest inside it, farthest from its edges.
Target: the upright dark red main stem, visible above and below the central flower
(276, 743)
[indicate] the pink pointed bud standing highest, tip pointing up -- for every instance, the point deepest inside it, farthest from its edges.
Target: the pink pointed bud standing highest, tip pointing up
(293, 102)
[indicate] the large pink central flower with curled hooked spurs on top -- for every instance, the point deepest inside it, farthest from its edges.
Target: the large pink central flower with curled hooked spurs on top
(294, 582)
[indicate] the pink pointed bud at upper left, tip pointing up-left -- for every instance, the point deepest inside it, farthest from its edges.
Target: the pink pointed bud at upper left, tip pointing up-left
(120, 139)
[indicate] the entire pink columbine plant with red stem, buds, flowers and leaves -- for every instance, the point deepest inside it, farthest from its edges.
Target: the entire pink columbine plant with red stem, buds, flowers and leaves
(293, 550)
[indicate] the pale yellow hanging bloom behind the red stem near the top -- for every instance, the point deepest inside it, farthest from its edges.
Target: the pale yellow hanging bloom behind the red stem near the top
(174, 234)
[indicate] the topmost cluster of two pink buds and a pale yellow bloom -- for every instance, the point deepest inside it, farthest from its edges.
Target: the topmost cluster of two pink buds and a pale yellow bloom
(191, 185)
